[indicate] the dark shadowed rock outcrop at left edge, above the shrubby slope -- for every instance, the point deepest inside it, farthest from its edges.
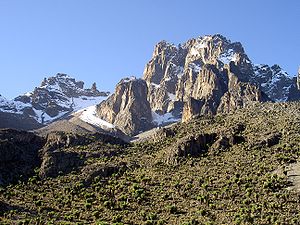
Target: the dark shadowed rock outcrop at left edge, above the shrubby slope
(22, 152)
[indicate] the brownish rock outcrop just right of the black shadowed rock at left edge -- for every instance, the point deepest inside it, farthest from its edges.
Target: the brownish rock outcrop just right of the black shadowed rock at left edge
(57, 159)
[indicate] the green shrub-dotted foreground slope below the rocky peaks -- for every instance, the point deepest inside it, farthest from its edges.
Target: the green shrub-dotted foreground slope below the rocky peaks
(224, 169)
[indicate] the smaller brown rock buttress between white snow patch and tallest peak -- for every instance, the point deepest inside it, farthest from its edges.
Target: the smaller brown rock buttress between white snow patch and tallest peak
(128, 107)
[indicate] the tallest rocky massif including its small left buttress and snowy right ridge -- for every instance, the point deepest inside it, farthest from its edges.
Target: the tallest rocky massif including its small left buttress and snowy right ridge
(206, 75)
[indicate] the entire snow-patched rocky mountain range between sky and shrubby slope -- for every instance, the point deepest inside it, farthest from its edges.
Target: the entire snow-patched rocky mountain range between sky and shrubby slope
(204, 76)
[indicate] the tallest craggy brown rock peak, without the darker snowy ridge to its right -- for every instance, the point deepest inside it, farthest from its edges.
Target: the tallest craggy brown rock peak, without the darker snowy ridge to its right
(209, 69)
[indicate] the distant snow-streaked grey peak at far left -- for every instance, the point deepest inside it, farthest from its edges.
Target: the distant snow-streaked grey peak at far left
(55, 98)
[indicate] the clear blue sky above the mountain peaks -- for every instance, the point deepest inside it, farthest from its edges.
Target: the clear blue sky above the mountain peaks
(105, 40)
